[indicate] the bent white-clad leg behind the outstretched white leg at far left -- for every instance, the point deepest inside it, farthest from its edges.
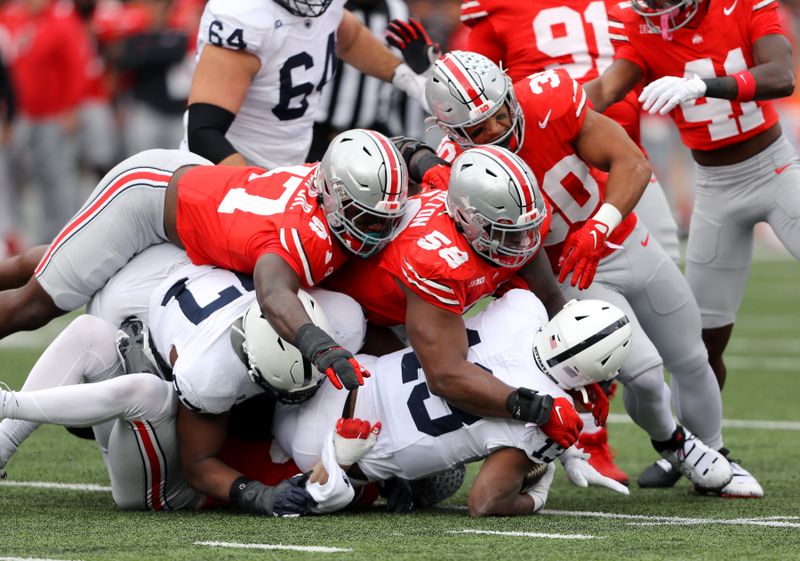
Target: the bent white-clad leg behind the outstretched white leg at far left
(84, 351)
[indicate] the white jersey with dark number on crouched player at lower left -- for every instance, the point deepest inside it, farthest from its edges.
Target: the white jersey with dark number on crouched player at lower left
(192, 311)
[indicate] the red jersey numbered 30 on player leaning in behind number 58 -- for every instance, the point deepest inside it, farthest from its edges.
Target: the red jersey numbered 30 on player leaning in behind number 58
(554, 106)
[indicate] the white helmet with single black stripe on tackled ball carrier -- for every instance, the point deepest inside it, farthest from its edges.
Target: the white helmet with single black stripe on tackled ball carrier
(586, 342)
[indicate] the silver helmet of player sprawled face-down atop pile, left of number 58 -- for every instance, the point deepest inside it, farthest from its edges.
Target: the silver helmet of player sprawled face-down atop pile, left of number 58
(363, 182)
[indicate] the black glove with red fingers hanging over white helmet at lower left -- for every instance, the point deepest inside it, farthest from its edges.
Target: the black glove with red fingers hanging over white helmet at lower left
(329, 357)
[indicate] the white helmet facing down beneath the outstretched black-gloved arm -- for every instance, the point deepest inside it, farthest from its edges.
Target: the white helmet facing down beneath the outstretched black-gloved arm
(274, 363)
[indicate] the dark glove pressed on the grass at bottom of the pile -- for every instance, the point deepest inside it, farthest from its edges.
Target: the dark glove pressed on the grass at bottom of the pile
(288, 498)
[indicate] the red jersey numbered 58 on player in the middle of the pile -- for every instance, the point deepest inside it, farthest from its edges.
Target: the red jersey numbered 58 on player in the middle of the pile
(431, 258)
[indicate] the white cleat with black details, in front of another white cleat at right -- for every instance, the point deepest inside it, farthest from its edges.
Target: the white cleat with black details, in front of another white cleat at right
(706, 468)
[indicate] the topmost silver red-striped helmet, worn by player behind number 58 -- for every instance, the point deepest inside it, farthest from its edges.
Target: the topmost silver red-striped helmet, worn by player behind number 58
(464, 89)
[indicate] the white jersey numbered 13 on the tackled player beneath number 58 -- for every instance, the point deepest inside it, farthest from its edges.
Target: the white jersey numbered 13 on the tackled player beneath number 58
(422, 434)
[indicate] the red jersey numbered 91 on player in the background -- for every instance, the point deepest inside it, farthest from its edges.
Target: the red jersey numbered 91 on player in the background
(529, 37)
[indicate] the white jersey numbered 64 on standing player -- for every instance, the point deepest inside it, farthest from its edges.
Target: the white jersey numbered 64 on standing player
(298, 57)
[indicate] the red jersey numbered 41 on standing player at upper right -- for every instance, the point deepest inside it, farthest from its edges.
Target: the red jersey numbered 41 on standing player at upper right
(718, 43)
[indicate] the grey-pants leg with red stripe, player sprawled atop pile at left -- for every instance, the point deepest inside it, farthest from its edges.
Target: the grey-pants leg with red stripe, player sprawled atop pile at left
(123, 216)
